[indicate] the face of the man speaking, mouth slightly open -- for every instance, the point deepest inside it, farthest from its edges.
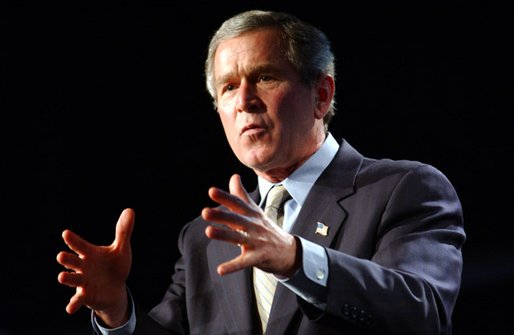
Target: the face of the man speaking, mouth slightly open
(267, 113)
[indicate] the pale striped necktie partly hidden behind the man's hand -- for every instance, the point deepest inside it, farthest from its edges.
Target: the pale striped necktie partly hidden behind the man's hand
(265, 283)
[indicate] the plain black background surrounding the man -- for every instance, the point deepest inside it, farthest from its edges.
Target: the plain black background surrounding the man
(103, 106)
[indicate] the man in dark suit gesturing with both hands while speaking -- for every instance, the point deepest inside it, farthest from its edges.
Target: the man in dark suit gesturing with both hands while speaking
(367, 246)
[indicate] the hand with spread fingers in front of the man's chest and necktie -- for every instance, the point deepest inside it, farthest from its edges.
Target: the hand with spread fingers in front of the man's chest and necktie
(263, 244)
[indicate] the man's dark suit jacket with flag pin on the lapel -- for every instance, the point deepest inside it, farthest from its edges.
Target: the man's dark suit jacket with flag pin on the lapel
(394, 250)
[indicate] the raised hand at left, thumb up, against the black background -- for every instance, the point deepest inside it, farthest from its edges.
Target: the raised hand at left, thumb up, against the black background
(99, 273)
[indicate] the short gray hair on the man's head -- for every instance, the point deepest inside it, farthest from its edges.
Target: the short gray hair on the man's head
(306, 47)
